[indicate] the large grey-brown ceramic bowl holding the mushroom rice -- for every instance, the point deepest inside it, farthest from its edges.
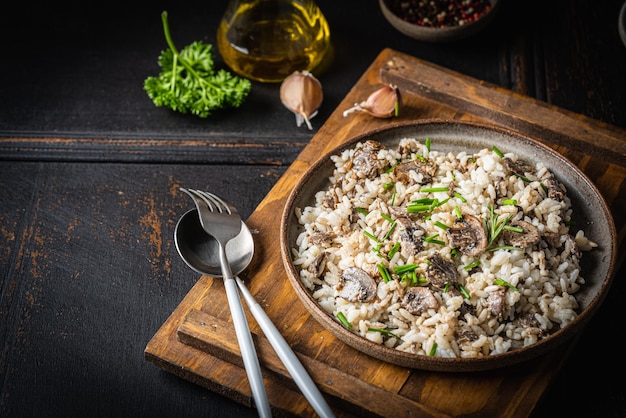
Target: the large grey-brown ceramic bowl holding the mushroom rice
(590, 213)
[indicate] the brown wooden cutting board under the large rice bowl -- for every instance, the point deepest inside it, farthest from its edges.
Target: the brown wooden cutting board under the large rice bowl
(198, 342)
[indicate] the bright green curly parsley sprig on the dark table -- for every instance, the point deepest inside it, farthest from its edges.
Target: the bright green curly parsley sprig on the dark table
(188, 82)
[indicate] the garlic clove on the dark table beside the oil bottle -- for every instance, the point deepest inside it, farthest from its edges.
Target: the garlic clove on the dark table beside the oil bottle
(302, 94)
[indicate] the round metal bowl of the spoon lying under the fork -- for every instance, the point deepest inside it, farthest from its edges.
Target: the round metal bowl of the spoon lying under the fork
(200, 251)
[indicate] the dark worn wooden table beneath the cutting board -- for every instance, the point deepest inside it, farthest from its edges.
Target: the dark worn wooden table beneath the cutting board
(89, 170)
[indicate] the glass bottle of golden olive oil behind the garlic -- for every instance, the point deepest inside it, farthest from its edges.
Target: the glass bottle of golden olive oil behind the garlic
(267, 40)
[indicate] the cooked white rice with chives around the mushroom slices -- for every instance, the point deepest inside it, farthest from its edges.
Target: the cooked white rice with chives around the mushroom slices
(533, 287)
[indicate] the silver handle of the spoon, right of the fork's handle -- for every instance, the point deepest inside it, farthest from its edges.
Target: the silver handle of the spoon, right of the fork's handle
(286, 355)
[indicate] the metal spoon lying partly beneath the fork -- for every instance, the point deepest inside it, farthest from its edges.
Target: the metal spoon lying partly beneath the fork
(200, 251)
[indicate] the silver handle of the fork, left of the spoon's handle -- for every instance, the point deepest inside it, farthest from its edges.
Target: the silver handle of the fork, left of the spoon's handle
(244, 338)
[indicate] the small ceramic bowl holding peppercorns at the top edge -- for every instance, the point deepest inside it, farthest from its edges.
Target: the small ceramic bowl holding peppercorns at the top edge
(441, 34)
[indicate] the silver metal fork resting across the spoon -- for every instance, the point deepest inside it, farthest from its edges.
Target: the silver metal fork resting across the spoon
(222, 221)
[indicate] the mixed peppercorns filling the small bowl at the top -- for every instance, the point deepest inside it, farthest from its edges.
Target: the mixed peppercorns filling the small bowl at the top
(439, 13)
